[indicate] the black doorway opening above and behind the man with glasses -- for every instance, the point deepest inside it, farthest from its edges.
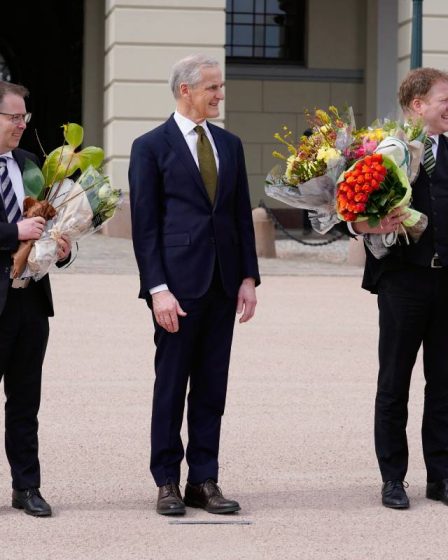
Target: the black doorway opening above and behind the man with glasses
(41, 44)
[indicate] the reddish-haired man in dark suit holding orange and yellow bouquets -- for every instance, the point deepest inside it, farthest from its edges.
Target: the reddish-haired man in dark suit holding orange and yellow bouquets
(412, 287)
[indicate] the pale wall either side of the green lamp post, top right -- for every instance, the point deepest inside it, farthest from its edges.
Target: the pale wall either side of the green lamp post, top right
(435, 36)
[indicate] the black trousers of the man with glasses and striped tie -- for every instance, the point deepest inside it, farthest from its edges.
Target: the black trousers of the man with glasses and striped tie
(24, 333)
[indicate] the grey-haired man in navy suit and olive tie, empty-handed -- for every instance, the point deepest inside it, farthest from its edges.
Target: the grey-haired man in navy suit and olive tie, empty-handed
(194, 244)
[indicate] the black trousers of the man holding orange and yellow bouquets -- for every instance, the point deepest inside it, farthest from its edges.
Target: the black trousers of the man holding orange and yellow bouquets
(413, 311)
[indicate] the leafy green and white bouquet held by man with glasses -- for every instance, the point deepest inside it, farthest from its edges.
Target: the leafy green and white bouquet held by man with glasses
(73, 208)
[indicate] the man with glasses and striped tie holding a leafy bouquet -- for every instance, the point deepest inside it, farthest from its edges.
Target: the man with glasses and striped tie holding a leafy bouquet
(24, 310)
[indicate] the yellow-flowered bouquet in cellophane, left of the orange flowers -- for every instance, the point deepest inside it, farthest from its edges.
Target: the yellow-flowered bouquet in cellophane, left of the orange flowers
(312, 168)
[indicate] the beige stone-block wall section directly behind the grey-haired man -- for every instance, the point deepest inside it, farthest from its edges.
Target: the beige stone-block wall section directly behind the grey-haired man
(143, 40)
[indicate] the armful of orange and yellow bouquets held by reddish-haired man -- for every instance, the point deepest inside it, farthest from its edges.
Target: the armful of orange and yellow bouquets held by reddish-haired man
(340, 173)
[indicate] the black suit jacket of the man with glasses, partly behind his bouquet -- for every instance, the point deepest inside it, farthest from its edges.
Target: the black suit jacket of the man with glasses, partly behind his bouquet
(9, 242)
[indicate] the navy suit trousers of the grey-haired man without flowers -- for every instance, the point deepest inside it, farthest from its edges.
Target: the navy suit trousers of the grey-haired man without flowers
(199, 353)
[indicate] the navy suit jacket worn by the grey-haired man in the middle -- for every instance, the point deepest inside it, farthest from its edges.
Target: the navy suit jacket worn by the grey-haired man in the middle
(178, 234)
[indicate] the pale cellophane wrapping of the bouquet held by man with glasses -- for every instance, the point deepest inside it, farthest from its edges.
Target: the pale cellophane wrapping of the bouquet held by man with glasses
(82, 207)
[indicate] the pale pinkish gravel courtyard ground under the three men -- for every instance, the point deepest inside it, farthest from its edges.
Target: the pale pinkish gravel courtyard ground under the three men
(297, 441)
